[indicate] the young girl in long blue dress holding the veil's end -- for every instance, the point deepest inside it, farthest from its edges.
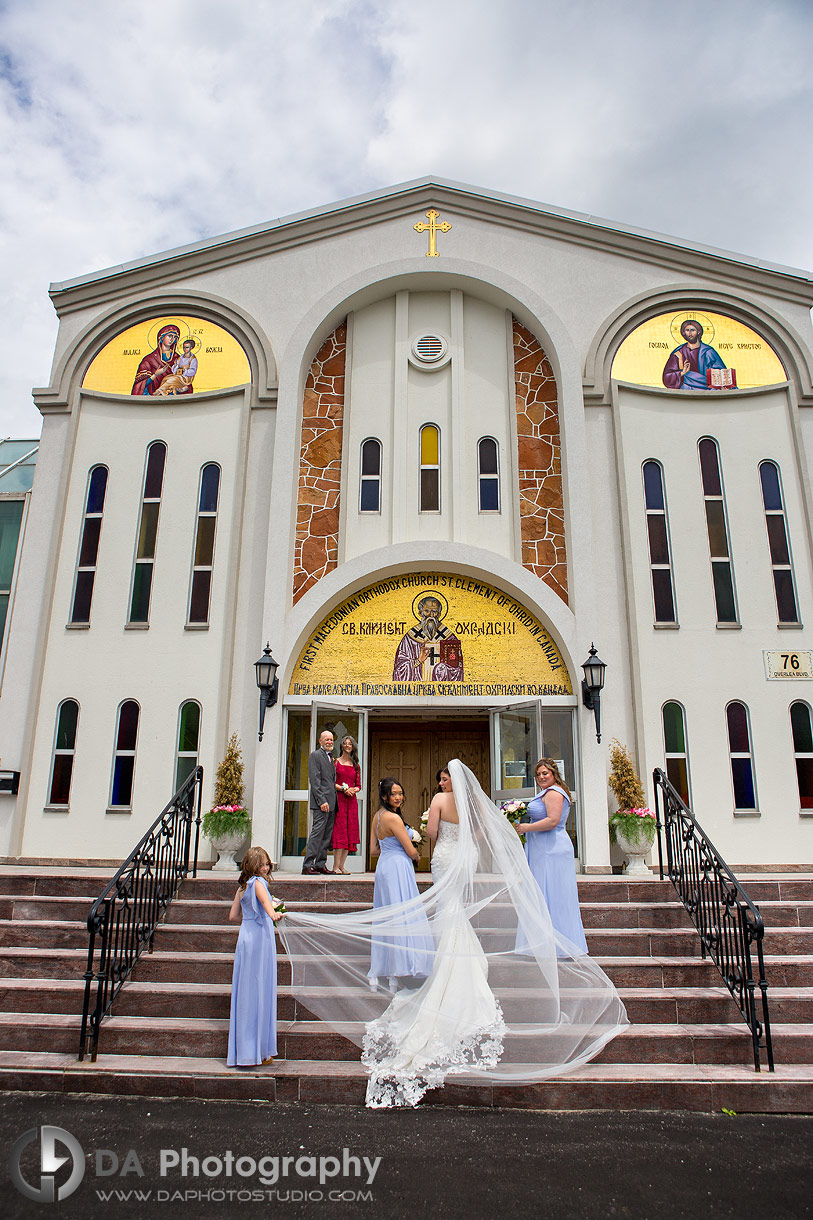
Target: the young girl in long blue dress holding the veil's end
(253, 1019)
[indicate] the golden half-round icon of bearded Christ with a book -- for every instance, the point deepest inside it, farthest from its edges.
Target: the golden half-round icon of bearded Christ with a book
(655, 354)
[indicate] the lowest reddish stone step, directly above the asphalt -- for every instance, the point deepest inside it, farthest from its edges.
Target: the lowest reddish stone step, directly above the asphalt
(645, 1086)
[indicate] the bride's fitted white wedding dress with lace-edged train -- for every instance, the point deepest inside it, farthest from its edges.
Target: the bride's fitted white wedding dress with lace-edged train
(449, 1027)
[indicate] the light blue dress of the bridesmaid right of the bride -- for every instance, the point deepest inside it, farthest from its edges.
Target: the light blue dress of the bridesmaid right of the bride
(551, 859)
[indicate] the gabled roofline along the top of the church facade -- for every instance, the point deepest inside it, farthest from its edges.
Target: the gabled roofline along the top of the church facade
(377, 207)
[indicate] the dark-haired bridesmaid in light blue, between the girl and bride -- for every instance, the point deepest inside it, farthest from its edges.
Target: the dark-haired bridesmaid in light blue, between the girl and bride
(406, 961)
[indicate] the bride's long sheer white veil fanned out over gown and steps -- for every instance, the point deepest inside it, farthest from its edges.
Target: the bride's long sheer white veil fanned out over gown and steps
(494, 1007)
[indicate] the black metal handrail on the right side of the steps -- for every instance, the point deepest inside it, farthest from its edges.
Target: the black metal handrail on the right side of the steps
(728, 922)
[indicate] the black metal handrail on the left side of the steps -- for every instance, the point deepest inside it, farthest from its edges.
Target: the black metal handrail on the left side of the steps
(124, 918)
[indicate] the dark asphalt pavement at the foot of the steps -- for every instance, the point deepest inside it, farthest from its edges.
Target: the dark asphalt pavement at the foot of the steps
(135, 1158)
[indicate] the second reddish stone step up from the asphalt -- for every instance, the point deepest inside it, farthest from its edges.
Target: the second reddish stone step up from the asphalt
(311, 1040)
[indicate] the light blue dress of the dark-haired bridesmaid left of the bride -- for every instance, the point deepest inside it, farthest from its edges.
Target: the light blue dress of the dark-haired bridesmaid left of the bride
(406, 953)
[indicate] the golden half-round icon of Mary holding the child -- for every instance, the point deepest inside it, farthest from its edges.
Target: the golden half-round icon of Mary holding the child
(169, 357)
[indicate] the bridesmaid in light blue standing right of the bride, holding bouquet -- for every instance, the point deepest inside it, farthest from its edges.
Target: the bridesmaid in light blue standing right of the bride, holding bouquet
(550, 853)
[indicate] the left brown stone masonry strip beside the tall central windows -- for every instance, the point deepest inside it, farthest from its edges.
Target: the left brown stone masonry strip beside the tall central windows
(320, 465)
